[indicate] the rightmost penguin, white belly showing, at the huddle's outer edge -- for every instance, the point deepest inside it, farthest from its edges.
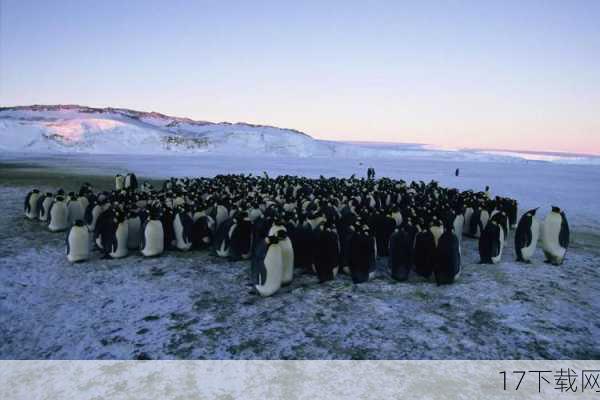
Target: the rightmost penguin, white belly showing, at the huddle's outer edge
(555, 236)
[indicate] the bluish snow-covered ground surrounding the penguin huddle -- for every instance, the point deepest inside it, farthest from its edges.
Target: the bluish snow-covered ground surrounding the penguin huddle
(191, 305)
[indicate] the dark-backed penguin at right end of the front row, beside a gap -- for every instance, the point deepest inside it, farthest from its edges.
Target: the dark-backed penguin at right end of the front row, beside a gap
(447, 259)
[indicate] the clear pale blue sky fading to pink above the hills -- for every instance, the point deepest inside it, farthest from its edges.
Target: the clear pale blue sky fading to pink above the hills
(517, 75)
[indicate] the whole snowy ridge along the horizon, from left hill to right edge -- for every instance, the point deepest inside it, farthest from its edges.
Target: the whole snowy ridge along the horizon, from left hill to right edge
(62, 129)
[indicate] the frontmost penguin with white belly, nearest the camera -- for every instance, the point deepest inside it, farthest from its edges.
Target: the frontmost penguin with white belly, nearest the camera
(267, 268)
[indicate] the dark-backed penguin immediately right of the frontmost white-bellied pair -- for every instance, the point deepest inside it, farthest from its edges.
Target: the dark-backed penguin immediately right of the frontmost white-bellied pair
(327, 252)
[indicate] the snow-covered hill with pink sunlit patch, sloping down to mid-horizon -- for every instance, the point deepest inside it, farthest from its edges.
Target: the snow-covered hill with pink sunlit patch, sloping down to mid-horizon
(78, 129)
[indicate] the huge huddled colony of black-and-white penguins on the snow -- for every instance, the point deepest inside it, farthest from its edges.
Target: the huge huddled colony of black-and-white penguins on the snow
(322, 226)
